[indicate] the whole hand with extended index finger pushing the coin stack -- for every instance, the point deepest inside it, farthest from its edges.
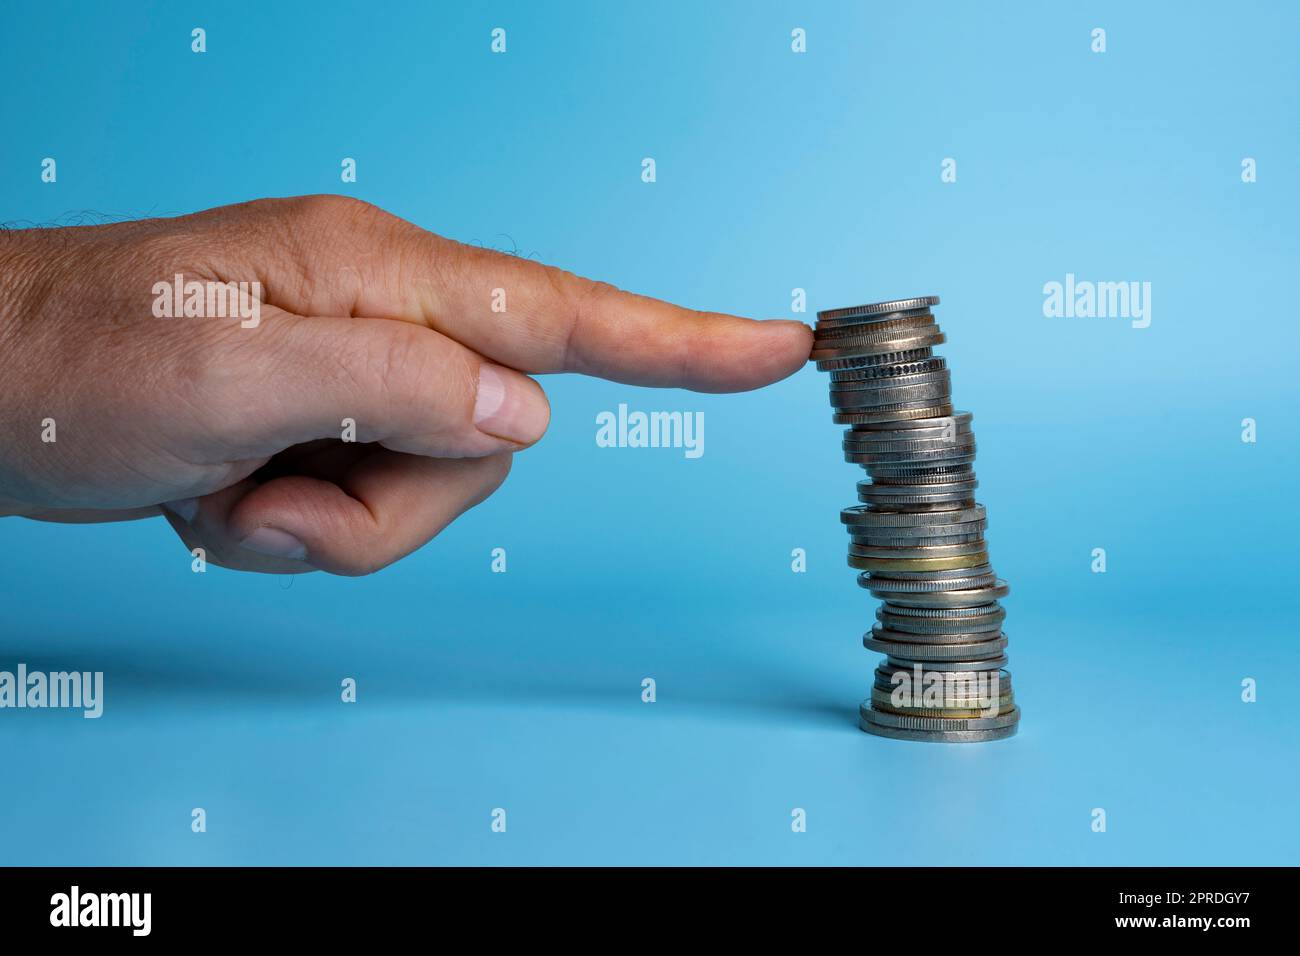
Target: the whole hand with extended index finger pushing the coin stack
(235, 426)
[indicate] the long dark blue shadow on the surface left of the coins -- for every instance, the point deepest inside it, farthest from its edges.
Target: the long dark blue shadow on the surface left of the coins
(138, 681)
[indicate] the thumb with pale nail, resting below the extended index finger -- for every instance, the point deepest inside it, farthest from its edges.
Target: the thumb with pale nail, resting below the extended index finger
(367, 380)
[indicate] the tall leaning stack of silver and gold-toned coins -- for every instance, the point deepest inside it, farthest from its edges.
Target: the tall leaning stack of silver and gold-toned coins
(918, 535)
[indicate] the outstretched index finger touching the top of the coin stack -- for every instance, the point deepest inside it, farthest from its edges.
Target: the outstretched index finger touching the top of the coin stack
(333, 256)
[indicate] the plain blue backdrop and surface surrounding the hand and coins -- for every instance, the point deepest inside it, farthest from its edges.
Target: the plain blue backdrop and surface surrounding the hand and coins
(775, 171)
